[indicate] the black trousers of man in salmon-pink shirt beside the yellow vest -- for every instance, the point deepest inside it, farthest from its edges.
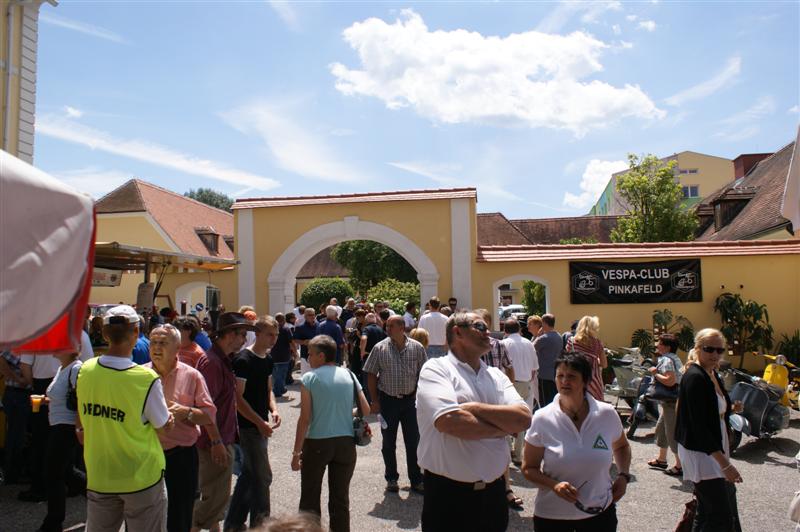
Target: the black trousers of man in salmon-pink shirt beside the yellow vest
(180, 476)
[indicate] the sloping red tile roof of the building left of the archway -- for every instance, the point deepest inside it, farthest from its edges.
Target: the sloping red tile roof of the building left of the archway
(177, 215)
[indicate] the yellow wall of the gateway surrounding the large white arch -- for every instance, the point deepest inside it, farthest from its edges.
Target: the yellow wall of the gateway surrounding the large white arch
(426, 223)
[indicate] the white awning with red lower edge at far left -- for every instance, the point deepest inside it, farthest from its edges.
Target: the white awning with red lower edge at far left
(47, 232)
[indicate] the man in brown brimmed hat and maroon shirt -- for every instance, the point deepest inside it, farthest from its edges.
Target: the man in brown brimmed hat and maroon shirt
(216, 456)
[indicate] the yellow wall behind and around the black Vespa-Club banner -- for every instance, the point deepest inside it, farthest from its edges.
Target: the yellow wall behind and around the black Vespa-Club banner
(773, 280)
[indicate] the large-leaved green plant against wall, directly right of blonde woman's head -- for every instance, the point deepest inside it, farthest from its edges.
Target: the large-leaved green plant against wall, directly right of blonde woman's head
(745, 324)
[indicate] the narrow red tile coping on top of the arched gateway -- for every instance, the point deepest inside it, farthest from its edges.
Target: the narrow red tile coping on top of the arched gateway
(367, 197)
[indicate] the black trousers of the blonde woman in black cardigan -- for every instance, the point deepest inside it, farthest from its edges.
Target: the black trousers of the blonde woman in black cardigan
(717, 510)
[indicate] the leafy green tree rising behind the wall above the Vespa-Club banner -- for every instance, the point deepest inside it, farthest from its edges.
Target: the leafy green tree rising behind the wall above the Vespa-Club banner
(653, 198)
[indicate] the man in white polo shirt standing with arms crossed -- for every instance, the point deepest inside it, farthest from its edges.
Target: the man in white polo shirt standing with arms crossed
(465, 409)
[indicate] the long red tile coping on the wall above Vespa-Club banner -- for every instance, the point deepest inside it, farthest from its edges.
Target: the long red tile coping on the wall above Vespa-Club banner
(644, 250)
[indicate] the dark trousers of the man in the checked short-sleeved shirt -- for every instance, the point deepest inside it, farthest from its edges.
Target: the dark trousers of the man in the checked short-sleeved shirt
(400, 412)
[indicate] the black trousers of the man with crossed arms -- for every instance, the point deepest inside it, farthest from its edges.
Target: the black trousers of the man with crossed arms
(451, 505)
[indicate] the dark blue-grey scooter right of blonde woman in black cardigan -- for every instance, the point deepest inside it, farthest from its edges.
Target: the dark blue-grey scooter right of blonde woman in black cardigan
(763, 415)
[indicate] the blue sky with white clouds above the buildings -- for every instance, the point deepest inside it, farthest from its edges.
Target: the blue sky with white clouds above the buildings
(533, 103)
